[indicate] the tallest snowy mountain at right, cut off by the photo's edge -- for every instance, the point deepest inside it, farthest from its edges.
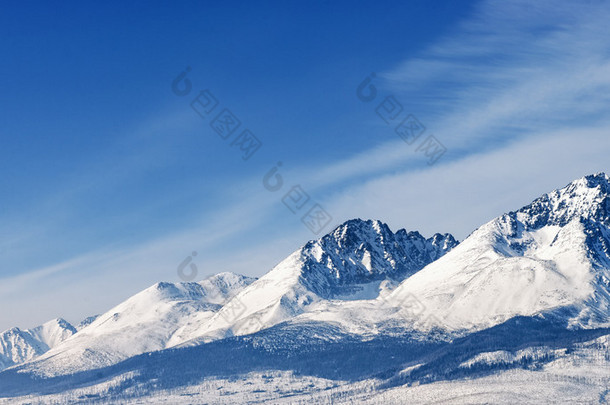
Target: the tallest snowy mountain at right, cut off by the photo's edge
(550, 254)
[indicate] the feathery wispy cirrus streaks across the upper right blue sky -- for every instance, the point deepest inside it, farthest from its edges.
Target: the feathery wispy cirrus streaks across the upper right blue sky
(513, 71)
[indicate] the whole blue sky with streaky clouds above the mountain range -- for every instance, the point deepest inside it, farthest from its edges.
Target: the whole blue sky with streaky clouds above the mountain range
(109, 180)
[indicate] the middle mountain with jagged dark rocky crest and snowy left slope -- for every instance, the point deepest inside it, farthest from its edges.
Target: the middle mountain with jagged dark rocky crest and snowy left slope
(341, 265)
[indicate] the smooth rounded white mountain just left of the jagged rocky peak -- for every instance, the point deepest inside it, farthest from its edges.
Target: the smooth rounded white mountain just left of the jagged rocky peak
(150, 320)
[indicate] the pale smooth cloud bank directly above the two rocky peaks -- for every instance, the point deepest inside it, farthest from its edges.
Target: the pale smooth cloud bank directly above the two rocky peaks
(460, 196)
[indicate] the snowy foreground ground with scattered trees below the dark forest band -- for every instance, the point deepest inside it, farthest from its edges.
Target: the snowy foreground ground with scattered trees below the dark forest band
(579, 375)
